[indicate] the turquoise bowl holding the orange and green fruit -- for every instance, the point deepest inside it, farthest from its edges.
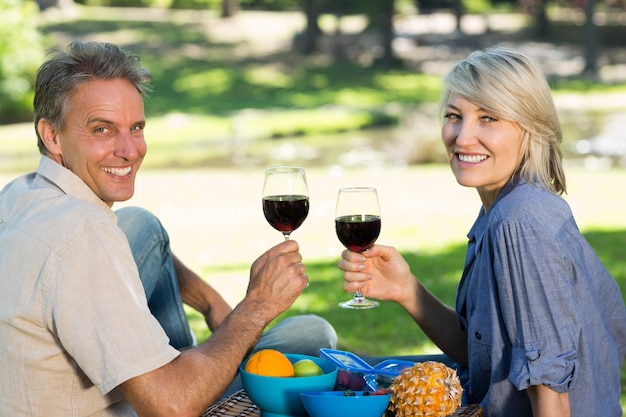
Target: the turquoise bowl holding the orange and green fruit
(280, 396)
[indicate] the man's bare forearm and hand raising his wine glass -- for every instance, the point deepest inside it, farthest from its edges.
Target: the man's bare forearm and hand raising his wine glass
(196, 378)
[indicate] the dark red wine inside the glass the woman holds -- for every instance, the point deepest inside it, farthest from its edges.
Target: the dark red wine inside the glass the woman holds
(357, 232)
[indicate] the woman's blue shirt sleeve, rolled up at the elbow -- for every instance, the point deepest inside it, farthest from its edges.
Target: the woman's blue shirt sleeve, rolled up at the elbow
(536, 299)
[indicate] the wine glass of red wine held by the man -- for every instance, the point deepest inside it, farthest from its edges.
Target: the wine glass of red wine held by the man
(285, 198)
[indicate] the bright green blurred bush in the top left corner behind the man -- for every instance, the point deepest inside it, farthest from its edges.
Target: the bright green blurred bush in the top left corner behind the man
(21, 53)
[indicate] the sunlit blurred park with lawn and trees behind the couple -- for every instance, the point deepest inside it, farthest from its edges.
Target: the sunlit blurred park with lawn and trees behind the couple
(236, 93)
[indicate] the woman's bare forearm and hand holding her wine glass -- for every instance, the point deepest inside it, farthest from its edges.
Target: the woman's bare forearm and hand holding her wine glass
(382, 273)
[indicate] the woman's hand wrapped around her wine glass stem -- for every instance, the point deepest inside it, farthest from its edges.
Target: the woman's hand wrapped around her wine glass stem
(380, 272)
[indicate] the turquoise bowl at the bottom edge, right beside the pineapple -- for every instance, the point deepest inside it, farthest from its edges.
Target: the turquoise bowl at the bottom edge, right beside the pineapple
(337, 404)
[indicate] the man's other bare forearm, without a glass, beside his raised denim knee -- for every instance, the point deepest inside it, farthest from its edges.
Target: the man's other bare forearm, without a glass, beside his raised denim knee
(201, 296)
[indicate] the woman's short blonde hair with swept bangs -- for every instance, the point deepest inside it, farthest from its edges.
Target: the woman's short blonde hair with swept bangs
(509, 85)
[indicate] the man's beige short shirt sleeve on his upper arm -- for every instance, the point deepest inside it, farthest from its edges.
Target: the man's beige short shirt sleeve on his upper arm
(97, 307)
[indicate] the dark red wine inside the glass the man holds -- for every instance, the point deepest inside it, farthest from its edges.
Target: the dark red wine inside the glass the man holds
(285, 212)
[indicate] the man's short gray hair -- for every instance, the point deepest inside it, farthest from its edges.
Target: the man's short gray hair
(59, 77)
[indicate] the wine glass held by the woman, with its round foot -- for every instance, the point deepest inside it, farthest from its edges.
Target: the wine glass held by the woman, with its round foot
(357, 222)
